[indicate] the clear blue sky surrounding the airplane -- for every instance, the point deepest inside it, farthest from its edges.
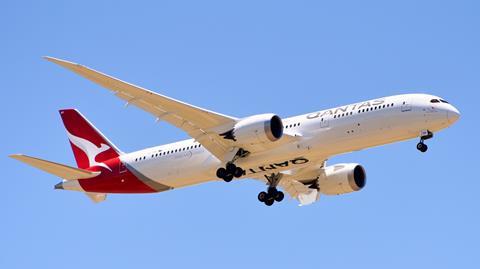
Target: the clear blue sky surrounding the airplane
(242, 58)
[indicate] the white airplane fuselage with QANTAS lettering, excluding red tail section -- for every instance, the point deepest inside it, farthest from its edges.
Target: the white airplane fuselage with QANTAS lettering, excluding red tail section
(320, 135)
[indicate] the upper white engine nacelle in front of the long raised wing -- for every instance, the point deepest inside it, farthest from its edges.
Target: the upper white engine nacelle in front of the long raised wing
(256, 129)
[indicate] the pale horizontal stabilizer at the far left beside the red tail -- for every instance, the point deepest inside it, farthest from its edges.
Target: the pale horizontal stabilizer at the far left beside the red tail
(59, 170)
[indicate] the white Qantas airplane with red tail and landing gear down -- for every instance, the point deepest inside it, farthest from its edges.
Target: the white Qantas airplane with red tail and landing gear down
(289, 153)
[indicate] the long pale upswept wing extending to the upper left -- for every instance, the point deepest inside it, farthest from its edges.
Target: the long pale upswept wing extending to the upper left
(201, 124)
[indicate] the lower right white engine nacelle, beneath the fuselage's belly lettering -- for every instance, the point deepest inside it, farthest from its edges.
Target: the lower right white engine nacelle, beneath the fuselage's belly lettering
(342, 178)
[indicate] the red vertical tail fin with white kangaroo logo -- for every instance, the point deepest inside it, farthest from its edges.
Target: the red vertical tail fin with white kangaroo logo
(89, 146)
